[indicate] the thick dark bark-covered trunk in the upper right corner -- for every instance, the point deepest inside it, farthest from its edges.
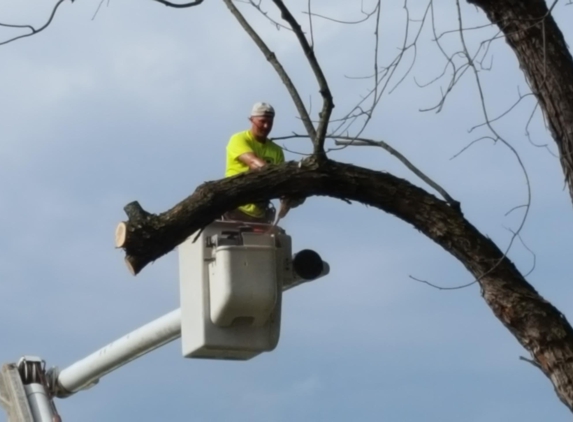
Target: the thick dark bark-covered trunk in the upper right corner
(544, 58)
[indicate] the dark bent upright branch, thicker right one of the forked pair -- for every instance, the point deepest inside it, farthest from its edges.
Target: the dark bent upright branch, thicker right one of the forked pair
(328, 104)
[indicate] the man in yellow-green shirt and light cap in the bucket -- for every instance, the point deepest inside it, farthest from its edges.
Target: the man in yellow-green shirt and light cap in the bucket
(252, 150)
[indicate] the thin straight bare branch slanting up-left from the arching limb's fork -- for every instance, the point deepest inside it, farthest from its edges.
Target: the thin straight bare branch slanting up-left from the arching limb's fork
(272, 59)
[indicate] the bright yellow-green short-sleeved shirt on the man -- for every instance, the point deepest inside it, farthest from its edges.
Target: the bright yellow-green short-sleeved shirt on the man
(241, 143)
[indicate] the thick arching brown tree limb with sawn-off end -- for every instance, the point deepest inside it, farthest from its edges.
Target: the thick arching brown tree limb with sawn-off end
(535, 323)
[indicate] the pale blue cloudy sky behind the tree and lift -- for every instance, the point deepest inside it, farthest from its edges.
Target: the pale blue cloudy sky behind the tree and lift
(139, 102)
